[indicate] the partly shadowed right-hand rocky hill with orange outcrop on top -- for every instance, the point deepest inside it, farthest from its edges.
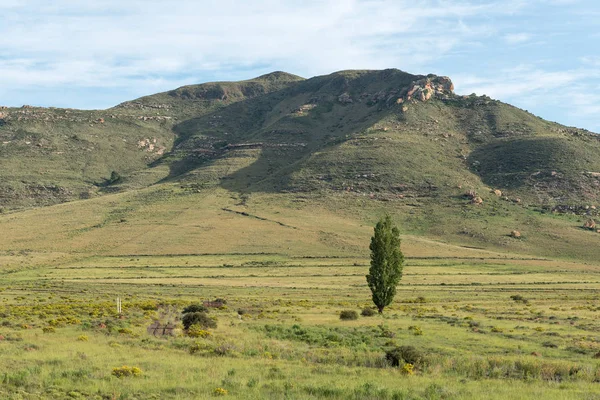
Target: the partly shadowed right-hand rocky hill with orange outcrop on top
(389, 133)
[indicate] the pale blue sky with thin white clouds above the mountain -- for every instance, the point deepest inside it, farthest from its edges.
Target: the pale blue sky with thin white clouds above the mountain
(539, 55)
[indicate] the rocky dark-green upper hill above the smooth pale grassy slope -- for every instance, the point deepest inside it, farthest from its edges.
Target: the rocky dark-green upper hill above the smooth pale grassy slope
(388, 135)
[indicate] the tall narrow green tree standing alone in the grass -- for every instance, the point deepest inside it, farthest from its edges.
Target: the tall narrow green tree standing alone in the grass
(386, 263)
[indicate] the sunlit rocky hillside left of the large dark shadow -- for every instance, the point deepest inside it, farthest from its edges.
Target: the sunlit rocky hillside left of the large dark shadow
(52, 155)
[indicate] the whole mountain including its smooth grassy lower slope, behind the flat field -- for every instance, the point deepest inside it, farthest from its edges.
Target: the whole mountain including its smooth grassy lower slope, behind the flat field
(308, 163)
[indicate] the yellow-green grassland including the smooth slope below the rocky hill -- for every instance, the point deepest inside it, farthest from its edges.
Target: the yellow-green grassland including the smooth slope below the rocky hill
(493, 317)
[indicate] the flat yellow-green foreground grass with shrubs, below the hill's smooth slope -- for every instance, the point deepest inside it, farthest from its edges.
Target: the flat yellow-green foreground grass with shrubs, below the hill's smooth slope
(290, 342)
